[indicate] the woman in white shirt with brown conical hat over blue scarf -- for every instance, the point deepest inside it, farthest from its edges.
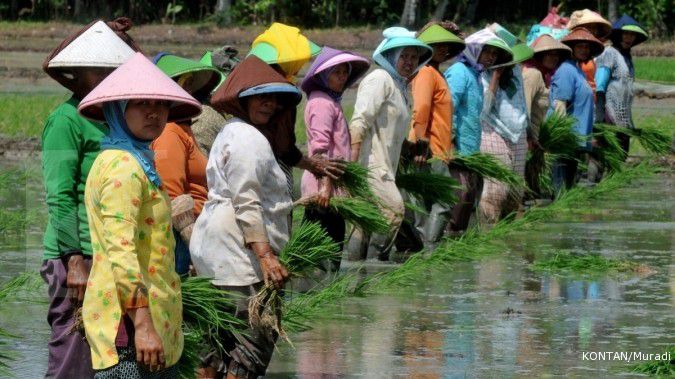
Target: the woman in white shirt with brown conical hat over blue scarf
(244, 224)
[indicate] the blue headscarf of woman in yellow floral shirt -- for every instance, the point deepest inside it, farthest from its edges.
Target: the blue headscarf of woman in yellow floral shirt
(121, 138)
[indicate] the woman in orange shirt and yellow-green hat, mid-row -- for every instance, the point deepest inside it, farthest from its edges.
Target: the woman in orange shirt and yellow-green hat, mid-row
(431, 132)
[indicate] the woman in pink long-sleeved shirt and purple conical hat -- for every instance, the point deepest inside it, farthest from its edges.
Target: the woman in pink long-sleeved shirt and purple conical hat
(328, 77)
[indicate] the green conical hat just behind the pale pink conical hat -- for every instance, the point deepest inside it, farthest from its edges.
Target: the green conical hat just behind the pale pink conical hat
(203, 77)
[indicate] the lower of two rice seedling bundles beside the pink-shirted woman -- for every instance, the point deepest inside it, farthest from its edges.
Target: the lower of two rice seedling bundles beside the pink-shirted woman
(362, 213)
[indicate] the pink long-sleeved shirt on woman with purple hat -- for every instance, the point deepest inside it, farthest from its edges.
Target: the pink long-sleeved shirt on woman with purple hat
(327, 133)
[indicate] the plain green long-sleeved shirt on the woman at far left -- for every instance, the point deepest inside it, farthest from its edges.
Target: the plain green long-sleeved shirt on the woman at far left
(70, 144)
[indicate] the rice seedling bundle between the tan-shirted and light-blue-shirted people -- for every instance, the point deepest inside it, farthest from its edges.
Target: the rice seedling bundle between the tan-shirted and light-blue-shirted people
(557, 135)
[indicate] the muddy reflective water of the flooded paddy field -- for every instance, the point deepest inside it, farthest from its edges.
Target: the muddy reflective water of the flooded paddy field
(492, 318)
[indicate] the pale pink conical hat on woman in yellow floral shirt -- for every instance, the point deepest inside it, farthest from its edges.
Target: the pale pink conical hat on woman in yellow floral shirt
(138, 78)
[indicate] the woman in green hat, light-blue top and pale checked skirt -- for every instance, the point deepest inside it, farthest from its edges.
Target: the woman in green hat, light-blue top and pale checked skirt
(504, 123)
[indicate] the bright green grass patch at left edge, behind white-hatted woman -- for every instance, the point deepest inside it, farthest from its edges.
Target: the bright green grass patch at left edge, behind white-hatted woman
(24, 115)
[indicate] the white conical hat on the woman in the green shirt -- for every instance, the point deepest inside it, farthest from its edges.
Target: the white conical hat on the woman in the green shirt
(98, 46)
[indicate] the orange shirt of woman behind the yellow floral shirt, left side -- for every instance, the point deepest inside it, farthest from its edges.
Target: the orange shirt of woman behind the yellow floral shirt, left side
(180, 164)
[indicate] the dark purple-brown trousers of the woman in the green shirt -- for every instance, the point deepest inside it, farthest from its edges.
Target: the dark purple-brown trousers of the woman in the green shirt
(69, 353)
